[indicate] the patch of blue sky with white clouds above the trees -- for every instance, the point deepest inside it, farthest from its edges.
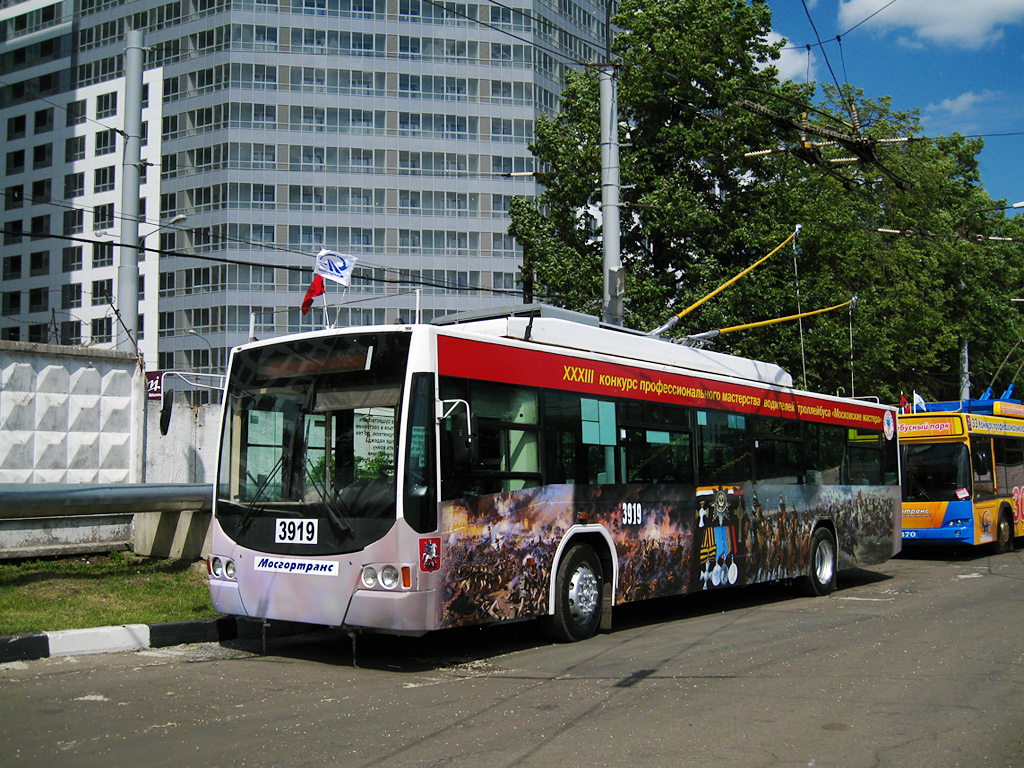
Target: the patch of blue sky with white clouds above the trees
(959, 63)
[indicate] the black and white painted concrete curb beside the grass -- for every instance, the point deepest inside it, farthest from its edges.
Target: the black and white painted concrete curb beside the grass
(137, 637)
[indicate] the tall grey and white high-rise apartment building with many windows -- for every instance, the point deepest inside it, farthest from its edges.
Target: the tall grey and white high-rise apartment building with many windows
(392, 131)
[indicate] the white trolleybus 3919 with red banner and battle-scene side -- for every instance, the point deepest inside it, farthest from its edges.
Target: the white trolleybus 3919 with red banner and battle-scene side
(530, 464)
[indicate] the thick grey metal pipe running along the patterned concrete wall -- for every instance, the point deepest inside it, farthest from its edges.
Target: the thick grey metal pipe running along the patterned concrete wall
(63, 500)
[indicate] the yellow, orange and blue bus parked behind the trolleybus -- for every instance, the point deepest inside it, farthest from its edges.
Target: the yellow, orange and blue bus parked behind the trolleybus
(963, 473)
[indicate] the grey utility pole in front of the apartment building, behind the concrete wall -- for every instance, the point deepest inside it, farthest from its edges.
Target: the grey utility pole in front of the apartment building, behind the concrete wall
(127, 289)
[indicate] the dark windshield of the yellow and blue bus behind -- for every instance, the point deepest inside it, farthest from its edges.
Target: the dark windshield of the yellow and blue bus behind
(936, 473)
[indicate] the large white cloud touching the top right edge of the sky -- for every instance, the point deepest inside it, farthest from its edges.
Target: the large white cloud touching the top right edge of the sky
(966, 24)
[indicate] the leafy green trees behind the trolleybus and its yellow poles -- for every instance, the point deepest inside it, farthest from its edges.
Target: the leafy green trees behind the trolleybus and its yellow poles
(702, 201)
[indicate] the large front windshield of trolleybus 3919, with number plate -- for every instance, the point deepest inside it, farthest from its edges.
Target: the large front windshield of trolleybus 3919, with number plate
(311, 444)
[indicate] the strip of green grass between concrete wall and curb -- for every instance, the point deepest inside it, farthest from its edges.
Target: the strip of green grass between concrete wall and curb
(102, 590)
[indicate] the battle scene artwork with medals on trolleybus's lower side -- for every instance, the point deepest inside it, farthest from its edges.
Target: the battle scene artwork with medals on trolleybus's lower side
(498, 550)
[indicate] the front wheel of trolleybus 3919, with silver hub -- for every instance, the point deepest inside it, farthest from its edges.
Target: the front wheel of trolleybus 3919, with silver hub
(578, 596)
